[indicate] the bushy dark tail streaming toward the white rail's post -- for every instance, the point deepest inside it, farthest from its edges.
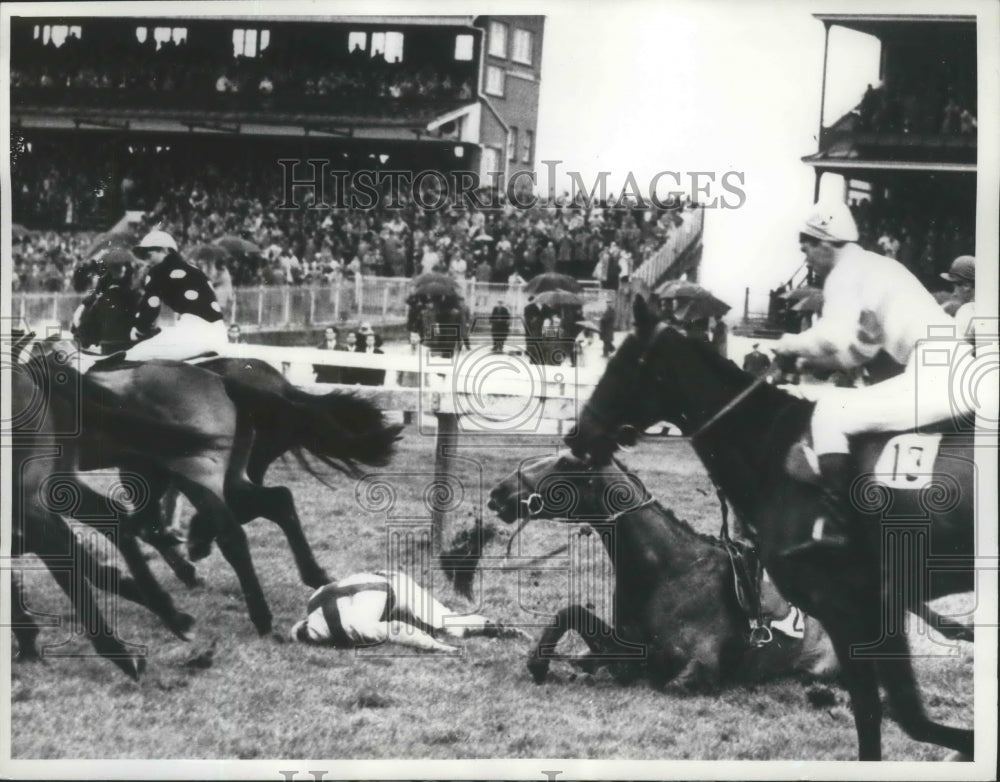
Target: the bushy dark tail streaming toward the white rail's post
(302, 420)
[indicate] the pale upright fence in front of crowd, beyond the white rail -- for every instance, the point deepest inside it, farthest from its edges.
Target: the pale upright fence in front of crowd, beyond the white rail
(381, 300)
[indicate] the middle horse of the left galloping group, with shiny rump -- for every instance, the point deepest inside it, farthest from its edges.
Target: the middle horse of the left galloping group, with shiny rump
(215, 480)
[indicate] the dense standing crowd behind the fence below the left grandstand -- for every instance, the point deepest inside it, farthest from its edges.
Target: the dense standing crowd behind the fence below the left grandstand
(200, 203)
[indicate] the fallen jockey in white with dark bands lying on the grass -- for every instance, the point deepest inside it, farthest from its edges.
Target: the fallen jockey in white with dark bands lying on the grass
(384, 607)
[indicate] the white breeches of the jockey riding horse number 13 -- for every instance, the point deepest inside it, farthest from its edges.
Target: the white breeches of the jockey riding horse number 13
(939, 383)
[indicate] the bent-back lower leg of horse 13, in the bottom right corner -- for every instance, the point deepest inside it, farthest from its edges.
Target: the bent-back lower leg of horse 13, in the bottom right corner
(895, 671)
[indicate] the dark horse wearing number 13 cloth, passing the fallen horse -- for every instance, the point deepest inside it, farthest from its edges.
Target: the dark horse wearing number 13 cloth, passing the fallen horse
(859, 592)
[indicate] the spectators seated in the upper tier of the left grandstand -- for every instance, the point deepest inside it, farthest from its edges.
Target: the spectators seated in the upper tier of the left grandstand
(152, 68)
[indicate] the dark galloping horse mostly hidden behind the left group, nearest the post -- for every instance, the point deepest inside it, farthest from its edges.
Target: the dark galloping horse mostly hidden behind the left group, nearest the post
(371, 443)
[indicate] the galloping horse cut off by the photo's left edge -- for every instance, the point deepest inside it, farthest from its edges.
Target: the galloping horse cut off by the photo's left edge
(54, 410)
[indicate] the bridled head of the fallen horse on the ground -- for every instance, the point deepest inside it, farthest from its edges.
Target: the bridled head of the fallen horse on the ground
(564, 488)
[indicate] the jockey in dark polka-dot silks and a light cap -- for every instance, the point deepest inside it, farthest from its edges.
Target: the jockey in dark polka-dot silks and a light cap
(187, 291)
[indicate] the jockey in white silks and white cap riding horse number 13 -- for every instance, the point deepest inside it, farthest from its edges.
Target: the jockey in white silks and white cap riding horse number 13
(871, 303)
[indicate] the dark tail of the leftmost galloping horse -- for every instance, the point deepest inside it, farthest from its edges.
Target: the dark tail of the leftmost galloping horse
(106, 413)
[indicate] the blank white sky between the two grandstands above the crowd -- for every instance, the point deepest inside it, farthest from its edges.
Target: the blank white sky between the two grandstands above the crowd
(708, 87)
